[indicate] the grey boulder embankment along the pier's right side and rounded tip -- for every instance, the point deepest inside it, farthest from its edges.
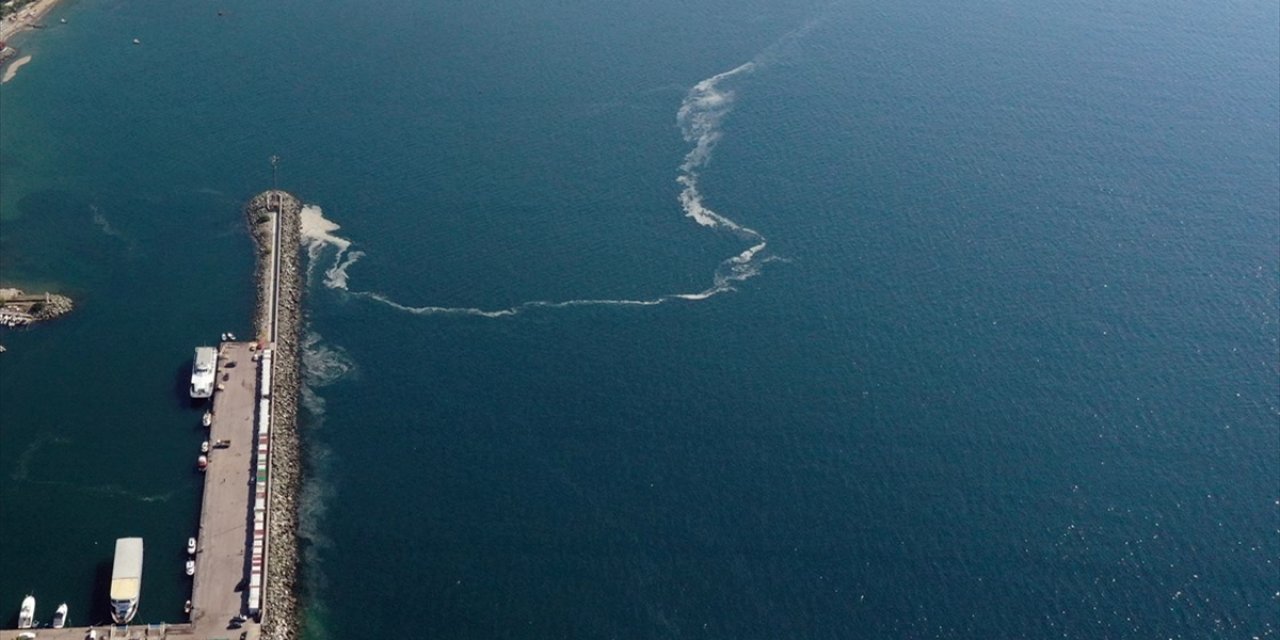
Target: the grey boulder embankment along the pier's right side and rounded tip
(280, 600)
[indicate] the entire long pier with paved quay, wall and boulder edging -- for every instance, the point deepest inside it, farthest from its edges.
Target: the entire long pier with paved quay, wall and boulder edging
(246, 547)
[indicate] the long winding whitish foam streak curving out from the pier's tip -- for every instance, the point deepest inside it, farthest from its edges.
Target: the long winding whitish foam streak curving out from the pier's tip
(701, 117)
